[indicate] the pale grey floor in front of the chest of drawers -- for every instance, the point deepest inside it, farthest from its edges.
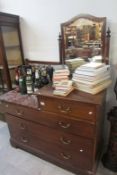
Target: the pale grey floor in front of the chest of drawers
(18, 162)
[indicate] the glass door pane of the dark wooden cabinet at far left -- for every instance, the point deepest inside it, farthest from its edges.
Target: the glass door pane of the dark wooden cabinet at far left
(12, 50)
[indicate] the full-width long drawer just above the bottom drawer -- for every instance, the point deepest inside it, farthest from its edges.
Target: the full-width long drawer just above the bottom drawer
(22, 130)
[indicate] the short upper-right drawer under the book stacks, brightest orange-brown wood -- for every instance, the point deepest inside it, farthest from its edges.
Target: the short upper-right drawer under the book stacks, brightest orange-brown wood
(70, 108)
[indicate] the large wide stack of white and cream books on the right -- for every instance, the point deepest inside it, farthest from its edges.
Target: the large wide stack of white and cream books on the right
(92, 77)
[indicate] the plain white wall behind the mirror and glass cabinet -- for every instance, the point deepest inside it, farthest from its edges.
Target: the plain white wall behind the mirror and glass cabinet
(40, 26)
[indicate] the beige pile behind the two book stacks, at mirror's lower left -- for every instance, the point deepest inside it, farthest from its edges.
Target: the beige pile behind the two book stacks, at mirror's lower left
(74, 63)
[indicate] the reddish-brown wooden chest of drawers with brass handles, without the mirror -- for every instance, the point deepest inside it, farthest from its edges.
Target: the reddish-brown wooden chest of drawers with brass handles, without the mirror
(64, 130)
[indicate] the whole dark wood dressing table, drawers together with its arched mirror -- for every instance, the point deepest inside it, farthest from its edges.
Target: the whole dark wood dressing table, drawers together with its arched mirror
(67, 131)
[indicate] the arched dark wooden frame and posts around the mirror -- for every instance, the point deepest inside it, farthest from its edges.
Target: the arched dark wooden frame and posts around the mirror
(104, 37)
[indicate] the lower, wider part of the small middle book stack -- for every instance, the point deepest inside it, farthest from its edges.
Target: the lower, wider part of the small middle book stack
(63, 88)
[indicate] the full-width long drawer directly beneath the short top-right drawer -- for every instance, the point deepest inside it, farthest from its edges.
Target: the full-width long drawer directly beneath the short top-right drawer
(56, 121)
